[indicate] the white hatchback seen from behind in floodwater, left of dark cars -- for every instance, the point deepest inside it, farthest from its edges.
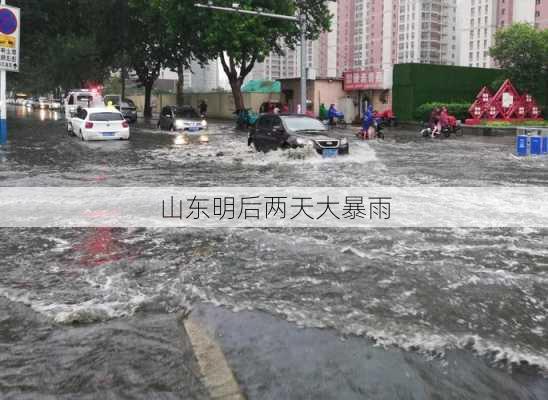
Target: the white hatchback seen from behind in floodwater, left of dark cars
(98, 124)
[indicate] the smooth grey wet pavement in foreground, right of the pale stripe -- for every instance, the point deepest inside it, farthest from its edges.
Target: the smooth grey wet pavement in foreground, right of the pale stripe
(273, 360)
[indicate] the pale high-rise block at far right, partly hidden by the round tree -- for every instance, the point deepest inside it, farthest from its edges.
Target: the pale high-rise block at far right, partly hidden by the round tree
(482, 18)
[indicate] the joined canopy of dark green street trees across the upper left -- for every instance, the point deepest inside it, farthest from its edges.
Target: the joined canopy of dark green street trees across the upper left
(68, 43)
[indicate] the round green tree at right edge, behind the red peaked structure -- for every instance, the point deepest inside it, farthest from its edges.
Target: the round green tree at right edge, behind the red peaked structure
(522, 51)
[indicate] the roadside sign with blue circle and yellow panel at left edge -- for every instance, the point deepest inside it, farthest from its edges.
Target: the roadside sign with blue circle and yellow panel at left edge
(10, 28)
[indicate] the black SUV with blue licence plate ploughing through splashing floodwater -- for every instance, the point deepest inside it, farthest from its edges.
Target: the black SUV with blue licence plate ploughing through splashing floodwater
(286, 131)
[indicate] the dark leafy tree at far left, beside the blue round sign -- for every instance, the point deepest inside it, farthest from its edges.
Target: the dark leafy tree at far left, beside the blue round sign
(64, 43)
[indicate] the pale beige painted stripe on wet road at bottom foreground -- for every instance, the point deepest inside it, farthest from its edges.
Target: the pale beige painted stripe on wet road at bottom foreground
(217, 375)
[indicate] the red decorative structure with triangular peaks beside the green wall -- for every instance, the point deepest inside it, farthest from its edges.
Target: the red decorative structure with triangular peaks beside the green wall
(506, 105)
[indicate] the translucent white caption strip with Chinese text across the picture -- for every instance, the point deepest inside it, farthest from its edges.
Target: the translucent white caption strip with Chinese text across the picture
(237, 207)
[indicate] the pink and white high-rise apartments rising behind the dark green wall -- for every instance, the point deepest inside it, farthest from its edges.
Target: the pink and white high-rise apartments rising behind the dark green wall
(376, 34)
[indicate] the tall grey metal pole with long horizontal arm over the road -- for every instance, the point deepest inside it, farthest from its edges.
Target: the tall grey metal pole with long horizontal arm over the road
(301, 20)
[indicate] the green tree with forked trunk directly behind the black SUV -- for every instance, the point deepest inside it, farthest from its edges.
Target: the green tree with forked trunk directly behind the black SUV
(240, 41)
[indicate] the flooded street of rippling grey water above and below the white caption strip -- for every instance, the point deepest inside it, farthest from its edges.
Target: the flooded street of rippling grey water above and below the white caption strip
(441, 313)
